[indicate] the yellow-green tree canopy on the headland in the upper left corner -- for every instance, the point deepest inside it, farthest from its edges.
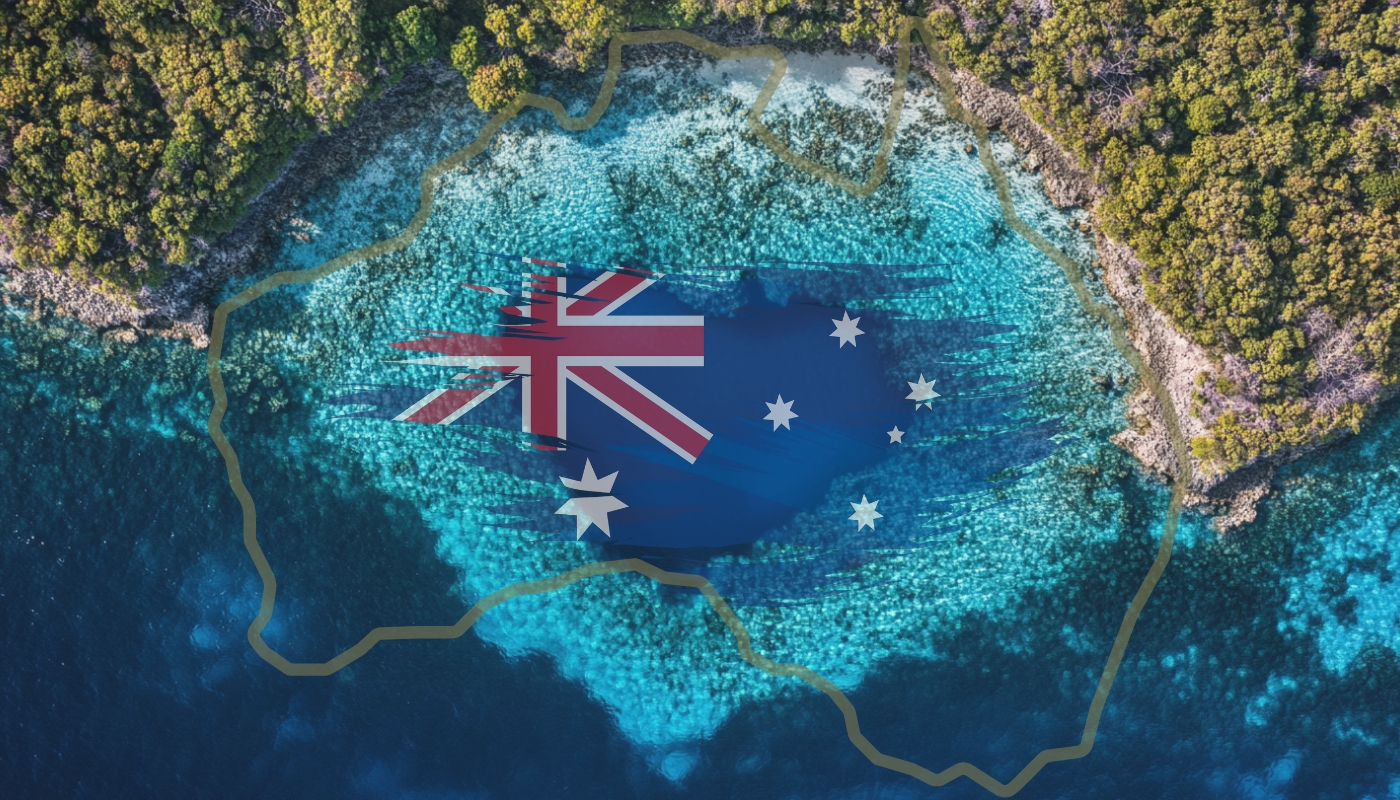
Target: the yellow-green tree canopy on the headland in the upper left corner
(129, 130)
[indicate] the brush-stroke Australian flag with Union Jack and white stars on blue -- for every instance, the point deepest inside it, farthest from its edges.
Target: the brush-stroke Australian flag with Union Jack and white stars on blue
(682, 415)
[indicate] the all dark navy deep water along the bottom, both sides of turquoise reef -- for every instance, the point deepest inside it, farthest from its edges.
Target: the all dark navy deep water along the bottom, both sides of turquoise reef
(128, 595)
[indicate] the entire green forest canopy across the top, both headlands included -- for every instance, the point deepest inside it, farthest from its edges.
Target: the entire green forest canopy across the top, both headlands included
(1251, 148)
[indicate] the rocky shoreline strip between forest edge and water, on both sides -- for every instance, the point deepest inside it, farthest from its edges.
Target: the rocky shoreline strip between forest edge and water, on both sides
(183, 306)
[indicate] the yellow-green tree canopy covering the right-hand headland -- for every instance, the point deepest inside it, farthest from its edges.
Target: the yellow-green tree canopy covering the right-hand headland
(1252, 156)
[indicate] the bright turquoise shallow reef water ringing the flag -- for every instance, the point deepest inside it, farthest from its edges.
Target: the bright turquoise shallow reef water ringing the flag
(682, 184)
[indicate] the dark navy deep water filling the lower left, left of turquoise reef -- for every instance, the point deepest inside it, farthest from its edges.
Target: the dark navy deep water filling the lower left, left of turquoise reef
(128, 690)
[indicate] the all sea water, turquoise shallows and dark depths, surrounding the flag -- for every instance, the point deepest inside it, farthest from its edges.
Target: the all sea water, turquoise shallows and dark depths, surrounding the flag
(1265, 665)
